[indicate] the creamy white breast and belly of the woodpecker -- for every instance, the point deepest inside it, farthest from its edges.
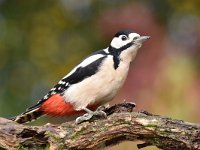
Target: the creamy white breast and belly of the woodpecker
(99, 88)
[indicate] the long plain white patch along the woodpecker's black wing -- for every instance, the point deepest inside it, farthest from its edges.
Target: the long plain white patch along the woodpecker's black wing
(85, 62)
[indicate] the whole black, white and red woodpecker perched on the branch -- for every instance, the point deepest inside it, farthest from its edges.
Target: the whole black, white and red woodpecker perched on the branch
(92, 83)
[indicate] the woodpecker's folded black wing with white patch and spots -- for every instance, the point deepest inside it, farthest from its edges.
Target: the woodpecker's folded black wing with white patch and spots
(85, 69)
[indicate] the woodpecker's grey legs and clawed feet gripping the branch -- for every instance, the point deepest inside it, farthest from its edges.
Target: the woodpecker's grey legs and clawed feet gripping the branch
(99, 112)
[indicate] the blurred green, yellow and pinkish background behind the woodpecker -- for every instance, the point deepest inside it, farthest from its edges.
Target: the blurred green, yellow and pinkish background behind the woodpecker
(41, 41)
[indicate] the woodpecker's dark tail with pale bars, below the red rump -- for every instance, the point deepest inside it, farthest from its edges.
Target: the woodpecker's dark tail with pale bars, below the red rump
(28, 115)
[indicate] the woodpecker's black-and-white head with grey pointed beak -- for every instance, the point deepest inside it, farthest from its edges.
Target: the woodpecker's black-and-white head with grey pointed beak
(126, 43)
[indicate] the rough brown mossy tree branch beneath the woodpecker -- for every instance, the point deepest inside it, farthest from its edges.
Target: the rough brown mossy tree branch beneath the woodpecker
(121, 125)
